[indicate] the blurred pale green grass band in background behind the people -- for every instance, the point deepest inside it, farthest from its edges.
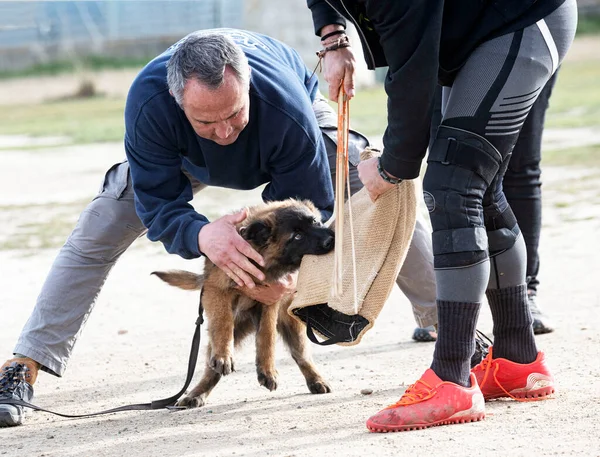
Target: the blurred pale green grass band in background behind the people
(575, 103)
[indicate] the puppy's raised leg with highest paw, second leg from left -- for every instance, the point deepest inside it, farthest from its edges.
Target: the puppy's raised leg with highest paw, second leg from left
(219, 312)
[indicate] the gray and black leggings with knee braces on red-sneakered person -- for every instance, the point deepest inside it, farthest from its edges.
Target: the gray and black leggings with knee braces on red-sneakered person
(476, 240)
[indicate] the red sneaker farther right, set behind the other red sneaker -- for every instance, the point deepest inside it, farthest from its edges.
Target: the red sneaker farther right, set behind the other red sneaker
(500, 378)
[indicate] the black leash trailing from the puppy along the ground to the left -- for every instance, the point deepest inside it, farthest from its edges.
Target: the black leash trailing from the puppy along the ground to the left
(167, 403)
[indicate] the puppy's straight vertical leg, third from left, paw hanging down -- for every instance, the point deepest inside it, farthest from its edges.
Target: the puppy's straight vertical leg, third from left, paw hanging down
(266, 338)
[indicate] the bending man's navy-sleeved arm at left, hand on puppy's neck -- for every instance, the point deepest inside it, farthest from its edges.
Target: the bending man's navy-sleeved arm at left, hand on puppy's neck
(162, 195)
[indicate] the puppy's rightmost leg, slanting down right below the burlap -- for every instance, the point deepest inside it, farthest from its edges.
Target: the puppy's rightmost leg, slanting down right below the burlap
(293, 336)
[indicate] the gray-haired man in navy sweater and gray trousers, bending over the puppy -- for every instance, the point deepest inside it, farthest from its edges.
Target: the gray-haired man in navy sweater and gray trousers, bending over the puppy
(223, 108)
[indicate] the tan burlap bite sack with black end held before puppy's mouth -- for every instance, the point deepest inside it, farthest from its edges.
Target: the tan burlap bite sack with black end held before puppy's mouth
(382, 235)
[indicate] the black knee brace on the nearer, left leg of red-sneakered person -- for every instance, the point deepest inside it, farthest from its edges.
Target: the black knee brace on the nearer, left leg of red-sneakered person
(461, 167)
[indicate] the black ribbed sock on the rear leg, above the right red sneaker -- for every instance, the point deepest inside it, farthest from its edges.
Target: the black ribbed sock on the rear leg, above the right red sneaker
(513, 331)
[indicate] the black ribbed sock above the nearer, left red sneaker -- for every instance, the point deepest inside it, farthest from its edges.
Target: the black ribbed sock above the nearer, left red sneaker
(456, 341)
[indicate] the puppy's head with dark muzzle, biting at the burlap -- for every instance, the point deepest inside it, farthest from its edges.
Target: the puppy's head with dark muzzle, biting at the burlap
(284, 232)
